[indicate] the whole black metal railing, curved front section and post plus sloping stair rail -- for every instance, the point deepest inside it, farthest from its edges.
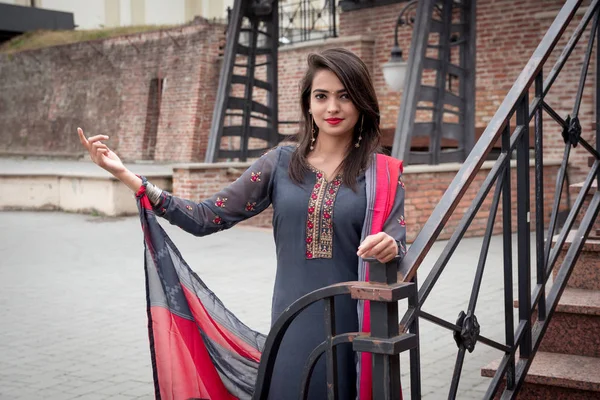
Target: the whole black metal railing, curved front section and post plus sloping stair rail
(536, 305)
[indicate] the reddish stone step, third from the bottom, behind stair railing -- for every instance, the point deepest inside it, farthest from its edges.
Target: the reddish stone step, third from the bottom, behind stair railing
(586, 274)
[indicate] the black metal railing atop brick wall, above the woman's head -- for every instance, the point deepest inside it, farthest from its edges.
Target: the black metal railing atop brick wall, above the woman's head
(307, 20)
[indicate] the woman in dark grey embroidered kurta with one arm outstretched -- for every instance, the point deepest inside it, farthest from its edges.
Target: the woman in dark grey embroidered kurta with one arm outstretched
(322, 219)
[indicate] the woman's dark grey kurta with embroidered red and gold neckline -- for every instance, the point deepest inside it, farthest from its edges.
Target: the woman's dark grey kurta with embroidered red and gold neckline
(317, 227)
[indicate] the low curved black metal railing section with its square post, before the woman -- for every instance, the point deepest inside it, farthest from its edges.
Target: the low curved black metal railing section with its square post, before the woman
(385, 341)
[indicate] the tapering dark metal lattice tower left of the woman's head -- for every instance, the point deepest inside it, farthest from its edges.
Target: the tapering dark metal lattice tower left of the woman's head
(252, 33)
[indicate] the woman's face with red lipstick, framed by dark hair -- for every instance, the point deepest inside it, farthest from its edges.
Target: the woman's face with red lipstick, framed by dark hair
(331, 107)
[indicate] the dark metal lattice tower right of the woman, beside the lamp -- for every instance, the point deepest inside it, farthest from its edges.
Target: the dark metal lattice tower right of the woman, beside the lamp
(443, 45)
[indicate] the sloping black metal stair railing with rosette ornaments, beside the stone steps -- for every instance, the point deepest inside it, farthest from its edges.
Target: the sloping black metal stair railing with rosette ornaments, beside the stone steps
(522, 337)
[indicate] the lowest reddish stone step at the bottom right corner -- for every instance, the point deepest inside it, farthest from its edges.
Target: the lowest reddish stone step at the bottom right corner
(558, 376)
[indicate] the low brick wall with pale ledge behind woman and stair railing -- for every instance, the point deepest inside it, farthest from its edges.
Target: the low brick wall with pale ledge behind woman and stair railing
(425, 185)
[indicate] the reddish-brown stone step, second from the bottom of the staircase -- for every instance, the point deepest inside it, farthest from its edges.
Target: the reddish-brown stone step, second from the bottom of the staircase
(575, 325)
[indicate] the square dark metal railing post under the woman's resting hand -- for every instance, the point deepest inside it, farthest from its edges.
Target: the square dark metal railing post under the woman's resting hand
(385, 341)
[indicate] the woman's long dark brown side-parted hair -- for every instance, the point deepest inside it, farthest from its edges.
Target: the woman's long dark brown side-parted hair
(355, 77)
